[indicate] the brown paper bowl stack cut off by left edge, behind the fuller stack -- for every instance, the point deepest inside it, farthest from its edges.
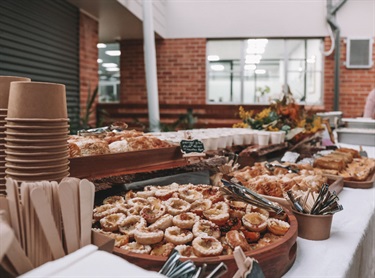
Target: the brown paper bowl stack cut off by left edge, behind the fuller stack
(4, 97)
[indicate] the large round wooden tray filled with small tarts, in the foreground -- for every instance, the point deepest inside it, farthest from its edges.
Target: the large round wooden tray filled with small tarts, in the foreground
(201, 222)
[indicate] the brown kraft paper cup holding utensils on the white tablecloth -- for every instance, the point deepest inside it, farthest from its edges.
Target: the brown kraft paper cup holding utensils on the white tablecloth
(313, 227)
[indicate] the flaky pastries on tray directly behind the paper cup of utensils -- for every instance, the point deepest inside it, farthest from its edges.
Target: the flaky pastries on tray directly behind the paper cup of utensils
(273, 180)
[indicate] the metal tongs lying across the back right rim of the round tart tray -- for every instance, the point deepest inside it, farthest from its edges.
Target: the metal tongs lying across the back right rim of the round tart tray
(244, 194)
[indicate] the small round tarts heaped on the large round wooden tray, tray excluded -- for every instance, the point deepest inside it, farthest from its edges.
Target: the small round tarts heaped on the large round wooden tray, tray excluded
(220, 225)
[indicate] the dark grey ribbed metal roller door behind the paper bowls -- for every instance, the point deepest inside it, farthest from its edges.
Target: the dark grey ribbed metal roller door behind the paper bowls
(39, 39)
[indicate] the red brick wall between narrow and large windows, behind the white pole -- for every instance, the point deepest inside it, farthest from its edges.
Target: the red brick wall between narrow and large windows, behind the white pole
(181, 71)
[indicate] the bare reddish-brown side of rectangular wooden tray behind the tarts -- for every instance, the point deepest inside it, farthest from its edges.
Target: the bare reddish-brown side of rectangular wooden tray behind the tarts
(105, 165)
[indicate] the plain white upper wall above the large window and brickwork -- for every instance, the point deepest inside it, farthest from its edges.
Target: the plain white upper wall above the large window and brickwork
(265, 18)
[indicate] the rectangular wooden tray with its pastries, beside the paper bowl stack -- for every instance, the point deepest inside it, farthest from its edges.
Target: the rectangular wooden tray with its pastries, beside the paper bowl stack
(113, 153)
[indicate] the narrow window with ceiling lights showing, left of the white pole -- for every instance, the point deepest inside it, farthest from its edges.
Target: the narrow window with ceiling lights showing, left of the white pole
(109, 72)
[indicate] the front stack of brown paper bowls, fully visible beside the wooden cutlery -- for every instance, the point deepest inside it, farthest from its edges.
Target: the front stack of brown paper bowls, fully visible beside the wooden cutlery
(36, 132)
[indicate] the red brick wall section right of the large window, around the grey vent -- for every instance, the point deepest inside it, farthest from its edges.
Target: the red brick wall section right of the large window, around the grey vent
(355, 84)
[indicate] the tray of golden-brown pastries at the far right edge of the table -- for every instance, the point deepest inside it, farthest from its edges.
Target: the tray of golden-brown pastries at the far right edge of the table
(356, 170)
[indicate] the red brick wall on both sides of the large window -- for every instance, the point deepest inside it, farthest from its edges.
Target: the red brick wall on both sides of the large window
(182, 77)
